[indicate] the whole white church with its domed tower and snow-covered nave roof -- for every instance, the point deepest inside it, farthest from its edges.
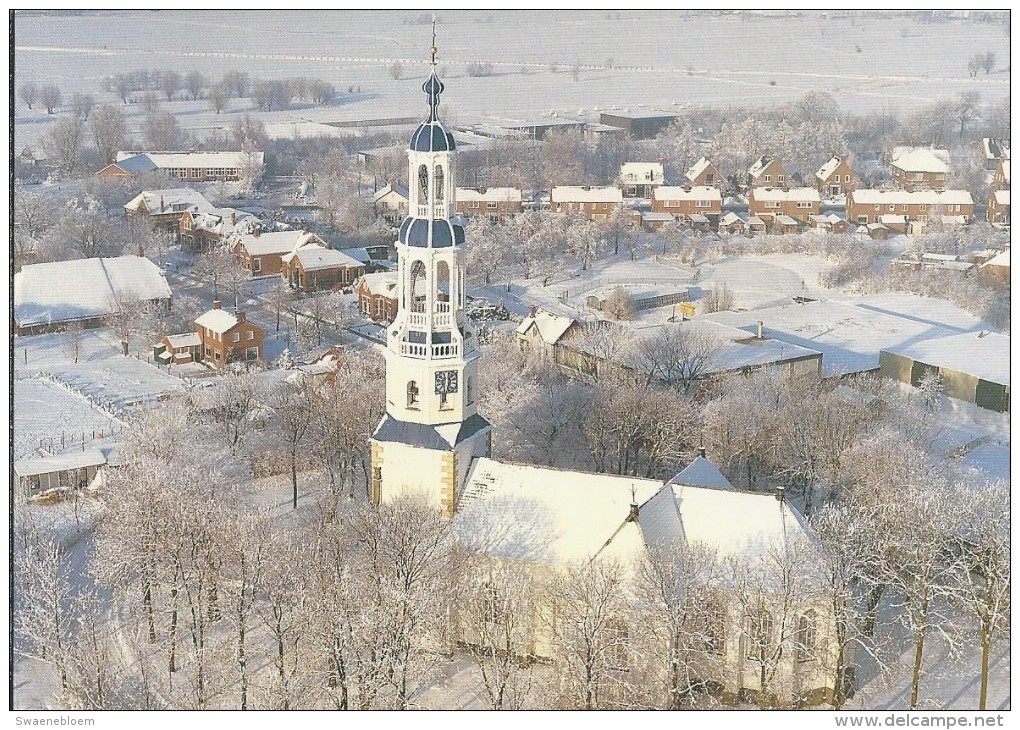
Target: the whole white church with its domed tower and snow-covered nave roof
(434, 443)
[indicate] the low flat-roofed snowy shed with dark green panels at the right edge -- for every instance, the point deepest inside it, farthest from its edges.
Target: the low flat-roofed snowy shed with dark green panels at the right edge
(974, 367)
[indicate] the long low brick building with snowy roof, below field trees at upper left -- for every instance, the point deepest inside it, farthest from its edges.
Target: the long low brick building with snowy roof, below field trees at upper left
(191, 167)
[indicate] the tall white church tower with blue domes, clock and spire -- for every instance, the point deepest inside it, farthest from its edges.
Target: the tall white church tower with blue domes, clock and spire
(432, 429)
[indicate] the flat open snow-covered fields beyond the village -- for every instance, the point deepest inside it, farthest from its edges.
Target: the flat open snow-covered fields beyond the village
(625, 61)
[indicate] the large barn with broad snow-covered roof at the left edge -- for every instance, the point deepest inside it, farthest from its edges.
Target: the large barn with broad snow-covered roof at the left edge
(96, 289)
